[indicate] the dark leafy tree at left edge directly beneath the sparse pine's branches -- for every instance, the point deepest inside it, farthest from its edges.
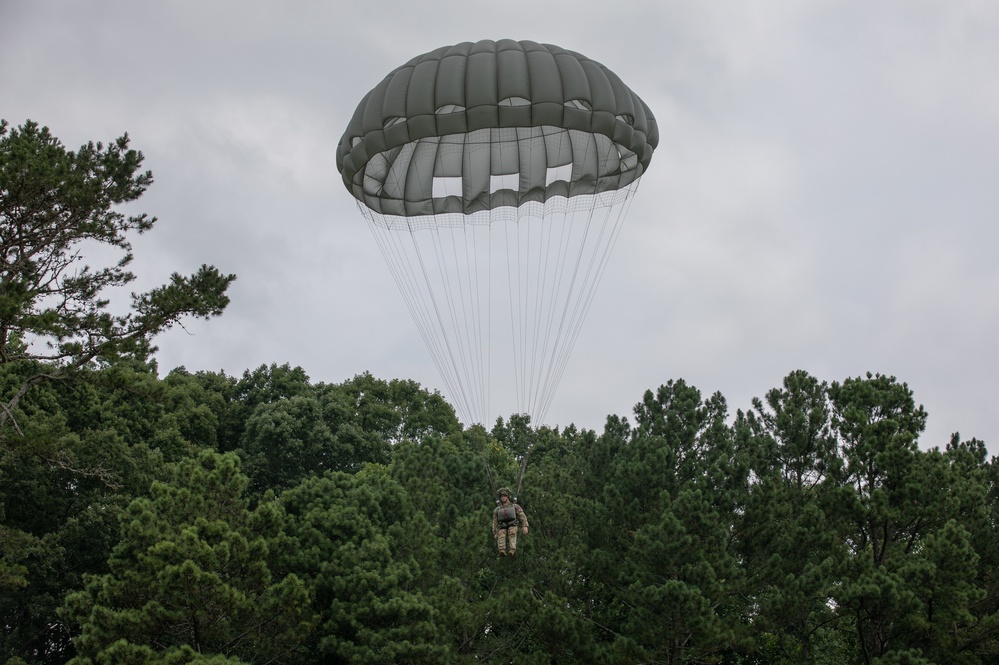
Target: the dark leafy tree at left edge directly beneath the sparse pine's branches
(64, 483)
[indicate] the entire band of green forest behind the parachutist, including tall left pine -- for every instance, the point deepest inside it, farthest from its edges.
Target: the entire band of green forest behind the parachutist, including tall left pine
(207, 518)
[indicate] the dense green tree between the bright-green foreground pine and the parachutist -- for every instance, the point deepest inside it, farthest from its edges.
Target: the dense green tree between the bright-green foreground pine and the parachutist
(359, 541)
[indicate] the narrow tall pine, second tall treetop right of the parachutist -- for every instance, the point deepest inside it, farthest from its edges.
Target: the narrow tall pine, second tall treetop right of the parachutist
(785, 539)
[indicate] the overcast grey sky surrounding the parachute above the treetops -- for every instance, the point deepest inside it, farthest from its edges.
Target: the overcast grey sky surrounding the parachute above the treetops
(824, 196)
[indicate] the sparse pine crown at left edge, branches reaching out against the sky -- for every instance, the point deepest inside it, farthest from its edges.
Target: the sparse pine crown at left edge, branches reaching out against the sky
(54, 315)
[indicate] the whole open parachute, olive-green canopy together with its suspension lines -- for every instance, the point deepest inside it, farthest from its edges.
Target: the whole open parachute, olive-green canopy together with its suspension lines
(495, 177)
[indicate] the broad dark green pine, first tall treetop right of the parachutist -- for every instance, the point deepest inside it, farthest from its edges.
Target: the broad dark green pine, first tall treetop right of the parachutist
(659, 540)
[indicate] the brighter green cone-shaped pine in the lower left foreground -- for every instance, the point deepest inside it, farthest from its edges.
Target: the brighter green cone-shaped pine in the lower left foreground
(190, 576)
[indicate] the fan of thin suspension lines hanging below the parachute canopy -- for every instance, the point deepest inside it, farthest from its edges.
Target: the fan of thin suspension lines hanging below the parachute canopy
(499, 296)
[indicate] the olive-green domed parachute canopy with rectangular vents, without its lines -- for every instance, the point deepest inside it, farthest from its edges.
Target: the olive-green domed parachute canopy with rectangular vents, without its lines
(475, 127)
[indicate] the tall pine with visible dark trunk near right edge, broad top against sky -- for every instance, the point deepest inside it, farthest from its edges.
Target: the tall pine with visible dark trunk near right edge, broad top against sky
(887, 504)
